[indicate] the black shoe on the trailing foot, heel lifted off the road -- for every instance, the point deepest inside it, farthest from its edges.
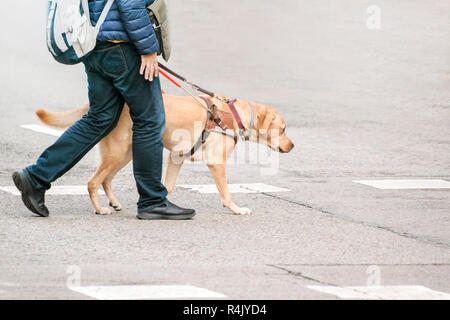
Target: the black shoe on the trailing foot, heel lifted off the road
(34, 199)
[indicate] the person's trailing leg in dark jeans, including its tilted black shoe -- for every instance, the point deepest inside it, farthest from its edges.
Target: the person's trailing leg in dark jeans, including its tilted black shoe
(106, 105)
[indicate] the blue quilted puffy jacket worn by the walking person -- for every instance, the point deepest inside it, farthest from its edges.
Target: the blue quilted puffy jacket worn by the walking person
(127, 20)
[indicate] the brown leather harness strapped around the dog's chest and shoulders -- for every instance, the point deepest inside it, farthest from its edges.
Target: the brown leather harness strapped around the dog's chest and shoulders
(222, 122)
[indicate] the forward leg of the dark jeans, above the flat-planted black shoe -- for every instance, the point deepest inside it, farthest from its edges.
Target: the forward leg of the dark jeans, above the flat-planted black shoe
(147, 112)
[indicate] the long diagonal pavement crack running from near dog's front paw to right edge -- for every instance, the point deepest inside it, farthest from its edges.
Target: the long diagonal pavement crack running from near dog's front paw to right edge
(364, 223)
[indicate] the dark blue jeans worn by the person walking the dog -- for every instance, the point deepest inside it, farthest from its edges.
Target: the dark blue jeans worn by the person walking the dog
(113, 78)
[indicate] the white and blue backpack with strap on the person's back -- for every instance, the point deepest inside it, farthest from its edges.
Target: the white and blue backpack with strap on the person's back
(70, 34)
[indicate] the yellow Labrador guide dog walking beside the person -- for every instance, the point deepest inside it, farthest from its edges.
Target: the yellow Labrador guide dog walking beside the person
(184, 116)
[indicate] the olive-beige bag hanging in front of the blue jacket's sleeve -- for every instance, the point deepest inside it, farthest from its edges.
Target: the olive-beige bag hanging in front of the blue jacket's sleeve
(159, 18)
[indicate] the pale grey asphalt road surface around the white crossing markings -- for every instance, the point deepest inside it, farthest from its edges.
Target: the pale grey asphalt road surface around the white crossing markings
(360, 103)
